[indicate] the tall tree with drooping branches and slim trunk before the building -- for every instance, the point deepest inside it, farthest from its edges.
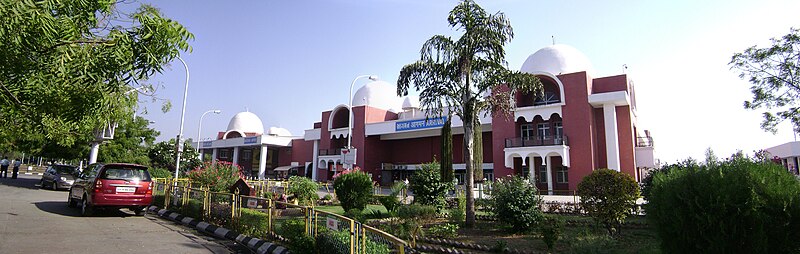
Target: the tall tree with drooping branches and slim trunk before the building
(457, 75)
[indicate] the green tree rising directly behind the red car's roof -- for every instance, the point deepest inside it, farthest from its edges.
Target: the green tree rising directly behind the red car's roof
(130, 144)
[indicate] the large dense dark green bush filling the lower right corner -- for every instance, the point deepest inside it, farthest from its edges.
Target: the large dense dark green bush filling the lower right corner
(737, 206)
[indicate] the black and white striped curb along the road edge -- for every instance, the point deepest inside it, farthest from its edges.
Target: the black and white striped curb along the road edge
(258, 245)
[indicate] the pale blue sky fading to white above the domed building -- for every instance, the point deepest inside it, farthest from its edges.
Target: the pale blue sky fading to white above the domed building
(287, 61)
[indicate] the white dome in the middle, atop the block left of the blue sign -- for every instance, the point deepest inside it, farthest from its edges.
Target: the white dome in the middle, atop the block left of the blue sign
(377, 94)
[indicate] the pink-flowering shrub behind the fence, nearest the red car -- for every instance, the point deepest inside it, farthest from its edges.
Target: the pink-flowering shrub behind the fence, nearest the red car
(219, 176)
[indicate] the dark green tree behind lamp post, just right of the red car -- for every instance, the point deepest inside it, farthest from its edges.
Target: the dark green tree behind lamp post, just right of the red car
(162, 155)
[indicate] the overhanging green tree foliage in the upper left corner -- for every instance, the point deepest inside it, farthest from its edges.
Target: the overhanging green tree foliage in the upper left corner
(68, 67)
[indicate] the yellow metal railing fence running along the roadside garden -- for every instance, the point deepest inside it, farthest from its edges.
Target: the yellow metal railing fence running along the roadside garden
(264, 217)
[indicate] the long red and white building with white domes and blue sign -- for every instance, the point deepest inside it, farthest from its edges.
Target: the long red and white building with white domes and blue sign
(579, 123)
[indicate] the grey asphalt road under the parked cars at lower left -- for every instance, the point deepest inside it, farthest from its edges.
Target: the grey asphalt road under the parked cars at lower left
(33, 220)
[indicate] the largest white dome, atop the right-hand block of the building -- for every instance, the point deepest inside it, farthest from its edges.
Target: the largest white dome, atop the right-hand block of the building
(557, 59)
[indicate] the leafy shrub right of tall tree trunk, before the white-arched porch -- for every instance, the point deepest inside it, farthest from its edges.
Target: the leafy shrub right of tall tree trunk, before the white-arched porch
(516, 204)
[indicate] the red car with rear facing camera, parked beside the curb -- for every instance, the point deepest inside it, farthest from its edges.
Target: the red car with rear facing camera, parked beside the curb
(112, 186)
